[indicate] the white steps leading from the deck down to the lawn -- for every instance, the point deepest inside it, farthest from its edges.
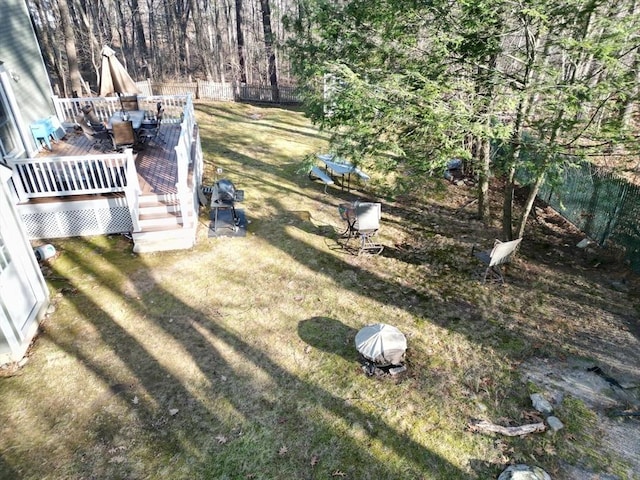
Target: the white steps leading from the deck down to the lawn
(163, 226)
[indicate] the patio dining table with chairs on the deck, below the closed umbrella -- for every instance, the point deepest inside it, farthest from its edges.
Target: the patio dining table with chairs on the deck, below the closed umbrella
(128, 127)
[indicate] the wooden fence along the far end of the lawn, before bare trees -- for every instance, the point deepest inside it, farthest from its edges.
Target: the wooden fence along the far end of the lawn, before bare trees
(226, 92)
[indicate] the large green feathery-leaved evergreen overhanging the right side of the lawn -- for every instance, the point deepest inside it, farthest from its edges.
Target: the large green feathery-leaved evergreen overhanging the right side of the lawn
(400, 72)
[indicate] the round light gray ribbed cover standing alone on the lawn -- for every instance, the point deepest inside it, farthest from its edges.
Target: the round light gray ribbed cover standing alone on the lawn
(382, 344)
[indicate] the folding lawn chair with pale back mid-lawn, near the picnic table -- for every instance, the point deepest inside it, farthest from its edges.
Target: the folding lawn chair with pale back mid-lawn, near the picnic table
(363, 223)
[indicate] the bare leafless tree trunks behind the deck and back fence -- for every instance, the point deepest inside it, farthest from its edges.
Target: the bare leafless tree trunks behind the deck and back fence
(218, 40)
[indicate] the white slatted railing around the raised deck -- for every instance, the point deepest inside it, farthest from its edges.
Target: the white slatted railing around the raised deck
(112, 172)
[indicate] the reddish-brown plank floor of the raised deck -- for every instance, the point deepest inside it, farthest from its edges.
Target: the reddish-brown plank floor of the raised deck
(156, 162)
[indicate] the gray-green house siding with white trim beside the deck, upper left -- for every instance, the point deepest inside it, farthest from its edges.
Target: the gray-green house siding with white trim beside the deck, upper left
(21, 57)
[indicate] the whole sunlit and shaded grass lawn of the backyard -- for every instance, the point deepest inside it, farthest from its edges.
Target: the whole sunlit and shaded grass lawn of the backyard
(235, 360)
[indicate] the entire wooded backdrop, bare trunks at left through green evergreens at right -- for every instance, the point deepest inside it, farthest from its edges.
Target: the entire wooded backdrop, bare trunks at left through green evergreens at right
(404, 85)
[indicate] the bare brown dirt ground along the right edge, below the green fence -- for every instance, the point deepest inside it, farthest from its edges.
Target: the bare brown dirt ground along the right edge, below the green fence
(596, 346)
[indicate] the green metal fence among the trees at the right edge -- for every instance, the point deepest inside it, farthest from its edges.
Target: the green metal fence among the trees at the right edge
(602, 205)
